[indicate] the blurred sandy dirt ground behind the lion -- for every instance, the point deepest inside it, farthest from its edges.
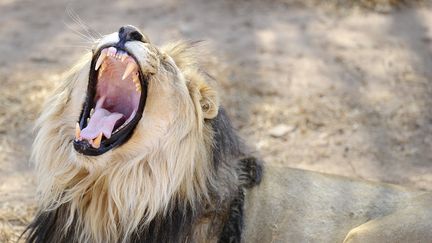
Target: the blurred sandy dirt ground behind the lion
(327, 88)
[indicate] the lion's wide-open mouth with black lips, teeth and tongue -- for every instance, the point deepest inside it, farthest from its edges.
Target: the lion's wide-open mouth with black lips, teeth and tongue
(114, 104)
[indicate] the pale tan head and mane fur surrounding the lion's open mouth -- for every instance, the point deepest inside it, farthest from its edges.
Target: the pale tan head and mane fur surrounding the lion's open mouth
(166, 159)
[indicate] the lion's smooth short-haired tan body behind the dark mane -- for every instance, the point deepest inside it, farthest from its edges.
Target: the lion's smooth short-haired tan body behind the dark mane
(293, 205)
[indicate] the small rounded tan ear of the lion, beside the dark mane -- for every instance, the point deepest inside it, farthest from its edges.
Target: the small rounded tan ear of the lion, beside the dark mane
(209, 101)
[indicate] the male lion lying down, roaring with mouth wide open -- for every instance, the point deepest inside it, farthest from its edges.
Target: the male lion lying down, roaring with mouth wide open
(134, 146)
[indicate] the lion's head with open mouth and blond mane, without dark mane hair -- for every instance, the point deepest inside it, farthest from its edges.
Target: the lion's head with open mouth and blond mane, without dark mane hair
(124, 135)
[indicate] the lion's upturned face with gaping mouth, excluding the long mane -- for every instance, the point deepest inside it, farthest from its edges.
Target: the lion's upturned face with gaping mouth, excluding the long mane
(133, 89)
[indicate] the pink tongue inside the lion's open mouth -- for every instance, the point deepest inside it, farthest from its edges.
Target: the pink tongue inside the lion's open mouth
(101, 121)
